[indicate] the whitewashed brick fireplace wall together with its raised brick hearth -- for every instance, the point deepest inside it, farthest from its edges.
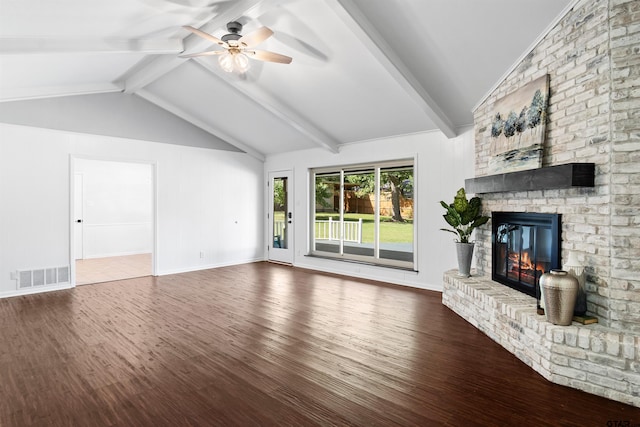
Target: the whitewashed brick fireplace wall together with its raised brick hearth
(591, 118)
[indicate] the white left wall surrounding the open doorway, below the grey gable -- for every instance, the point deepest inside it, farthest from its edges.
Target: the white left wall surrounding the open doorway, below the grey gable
(208, 201)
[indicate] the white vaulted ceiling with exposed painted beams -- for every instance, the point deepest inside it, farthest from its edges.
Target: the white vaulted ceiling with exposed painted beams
(362, 69)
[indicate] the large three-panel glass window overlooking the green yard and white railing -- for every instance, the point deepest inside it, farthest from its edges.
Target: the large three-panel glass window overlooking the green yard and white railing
(365, 213)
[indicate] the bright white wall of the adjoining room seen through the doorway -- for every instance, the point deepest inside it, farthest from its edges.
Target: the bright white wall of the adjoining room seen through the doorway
(117, 208)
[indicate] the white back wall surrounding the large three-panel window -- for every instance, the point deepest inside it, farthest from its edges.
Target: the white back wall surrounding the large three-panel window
(442, 165)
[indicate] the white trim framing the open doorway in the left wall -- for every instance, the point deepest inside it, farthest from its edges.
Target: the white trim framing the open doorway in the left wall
(154, 208)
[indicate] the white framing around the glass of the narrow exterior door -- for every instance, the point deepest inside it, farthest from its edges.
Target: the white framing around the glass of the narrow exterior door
(278, 254)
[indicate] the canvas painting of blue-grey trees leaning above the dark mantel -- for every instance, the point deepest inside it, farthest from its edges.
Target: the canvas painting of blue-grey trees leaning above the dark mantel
(518, 128)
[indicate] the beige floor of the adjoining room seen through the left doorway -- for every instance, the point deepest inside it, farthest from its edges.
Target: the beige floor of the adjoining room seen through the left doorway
(96, 270)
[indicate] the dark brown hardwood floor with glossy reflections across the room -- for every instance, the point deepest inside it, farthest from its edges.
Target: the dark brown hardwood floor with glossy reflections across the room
(265, 344)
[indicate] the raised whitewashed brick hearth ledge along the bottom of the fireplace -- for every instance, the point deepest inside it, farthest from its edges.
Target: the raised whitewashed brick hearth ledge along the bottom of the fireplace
(592, 358)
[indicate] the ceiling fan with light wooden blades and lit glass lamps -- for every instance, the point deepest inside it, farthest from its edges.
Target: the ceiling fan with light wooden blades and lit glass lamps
(238, 48)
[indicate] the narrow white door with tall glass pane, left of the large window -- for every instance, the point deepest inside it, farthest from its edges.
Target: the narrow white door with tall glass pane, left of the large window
(281, 217)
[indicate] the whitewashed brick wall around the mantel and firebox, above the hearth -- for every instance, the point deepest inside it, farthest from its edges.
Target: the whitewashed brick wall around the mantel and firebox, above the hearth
(593, 59)
